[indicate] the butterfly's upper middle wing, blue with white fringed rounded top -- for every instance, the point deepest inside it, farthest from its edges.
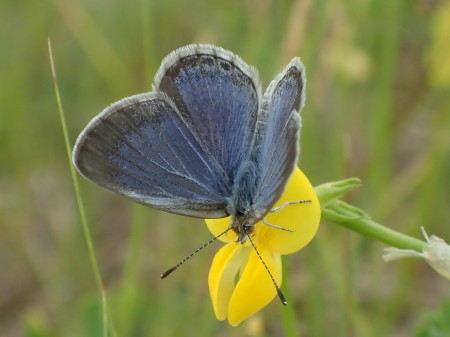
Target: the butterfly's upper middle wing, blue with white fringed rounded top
(217, 95)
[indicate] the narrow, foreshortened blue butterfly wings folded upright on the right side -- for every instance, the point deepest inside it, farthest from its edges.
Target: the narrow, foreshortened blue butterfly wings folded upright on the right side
(276, 143)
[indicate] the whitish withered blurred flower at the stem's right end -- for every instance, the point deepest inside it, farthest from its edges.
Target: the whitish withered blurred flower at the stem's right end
(436, 253)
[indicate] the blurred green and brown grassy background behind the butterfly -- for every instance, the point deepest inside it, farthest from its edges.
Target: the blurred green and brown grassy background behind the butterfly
(378, 99)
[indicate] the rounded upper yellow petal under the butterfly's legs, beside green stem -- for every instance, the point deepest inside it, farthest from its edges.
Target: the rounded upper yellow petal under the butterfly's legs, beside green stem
(303, 219)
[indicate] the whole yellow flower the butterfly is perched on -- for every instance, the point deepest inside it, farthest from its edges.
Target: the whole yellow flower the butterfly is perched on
(254, 289)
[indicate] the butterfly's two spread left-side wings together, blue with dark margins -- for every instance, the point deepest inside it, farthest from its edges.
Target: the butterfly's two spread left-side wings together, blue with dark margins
(176, 149)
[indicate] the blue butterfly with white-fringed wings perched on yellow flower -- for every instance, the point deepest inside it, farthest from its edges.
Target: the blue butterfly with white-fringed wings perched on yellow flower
(205, 142)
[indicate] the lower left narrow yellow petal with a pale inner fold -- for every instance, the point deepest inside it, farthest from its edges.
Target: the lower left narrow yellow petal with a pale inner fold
(222, 275)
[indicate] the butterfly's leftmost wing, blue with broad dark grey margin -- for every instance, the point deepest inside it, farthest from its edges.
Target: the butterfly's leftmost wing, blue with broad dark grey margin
(140, 148)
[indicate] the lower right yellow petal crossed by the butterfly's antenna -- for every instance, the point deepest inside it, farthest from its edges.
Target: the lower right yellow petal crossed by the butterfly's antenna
(255, 288)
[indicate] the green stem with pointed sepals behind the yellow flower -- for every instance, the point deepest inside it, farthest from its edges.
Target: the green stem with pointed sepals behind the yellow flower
(353, 218)
